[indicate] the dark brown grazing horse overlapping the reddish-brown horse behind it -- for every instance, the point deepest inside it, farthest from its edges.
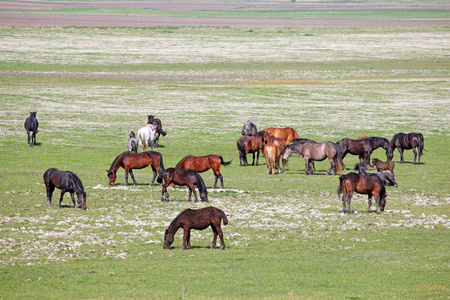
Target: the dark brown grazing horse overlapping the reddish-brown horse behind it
(183, 177)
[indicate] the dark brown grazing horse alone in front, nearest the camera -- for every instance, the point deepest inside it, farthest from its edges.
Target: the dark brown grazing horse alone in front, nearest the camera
(198, 219)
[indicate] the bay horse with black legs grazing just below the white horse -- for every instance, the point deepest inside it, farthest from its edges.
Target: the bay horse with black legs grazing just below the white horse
(130, 160)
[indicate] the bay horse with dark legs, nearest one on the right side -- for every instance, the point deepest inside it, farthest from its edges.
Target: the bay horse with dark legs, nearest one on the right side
(368, 184)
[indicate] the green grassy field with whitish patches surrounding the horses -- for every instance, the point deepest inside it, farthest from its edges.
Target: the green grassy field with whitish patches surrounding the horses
(286, 237)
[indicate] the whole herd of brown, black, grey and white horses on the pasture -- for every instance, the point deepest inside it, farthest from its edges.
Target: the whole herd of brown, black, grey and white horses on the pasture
(277, 145)
